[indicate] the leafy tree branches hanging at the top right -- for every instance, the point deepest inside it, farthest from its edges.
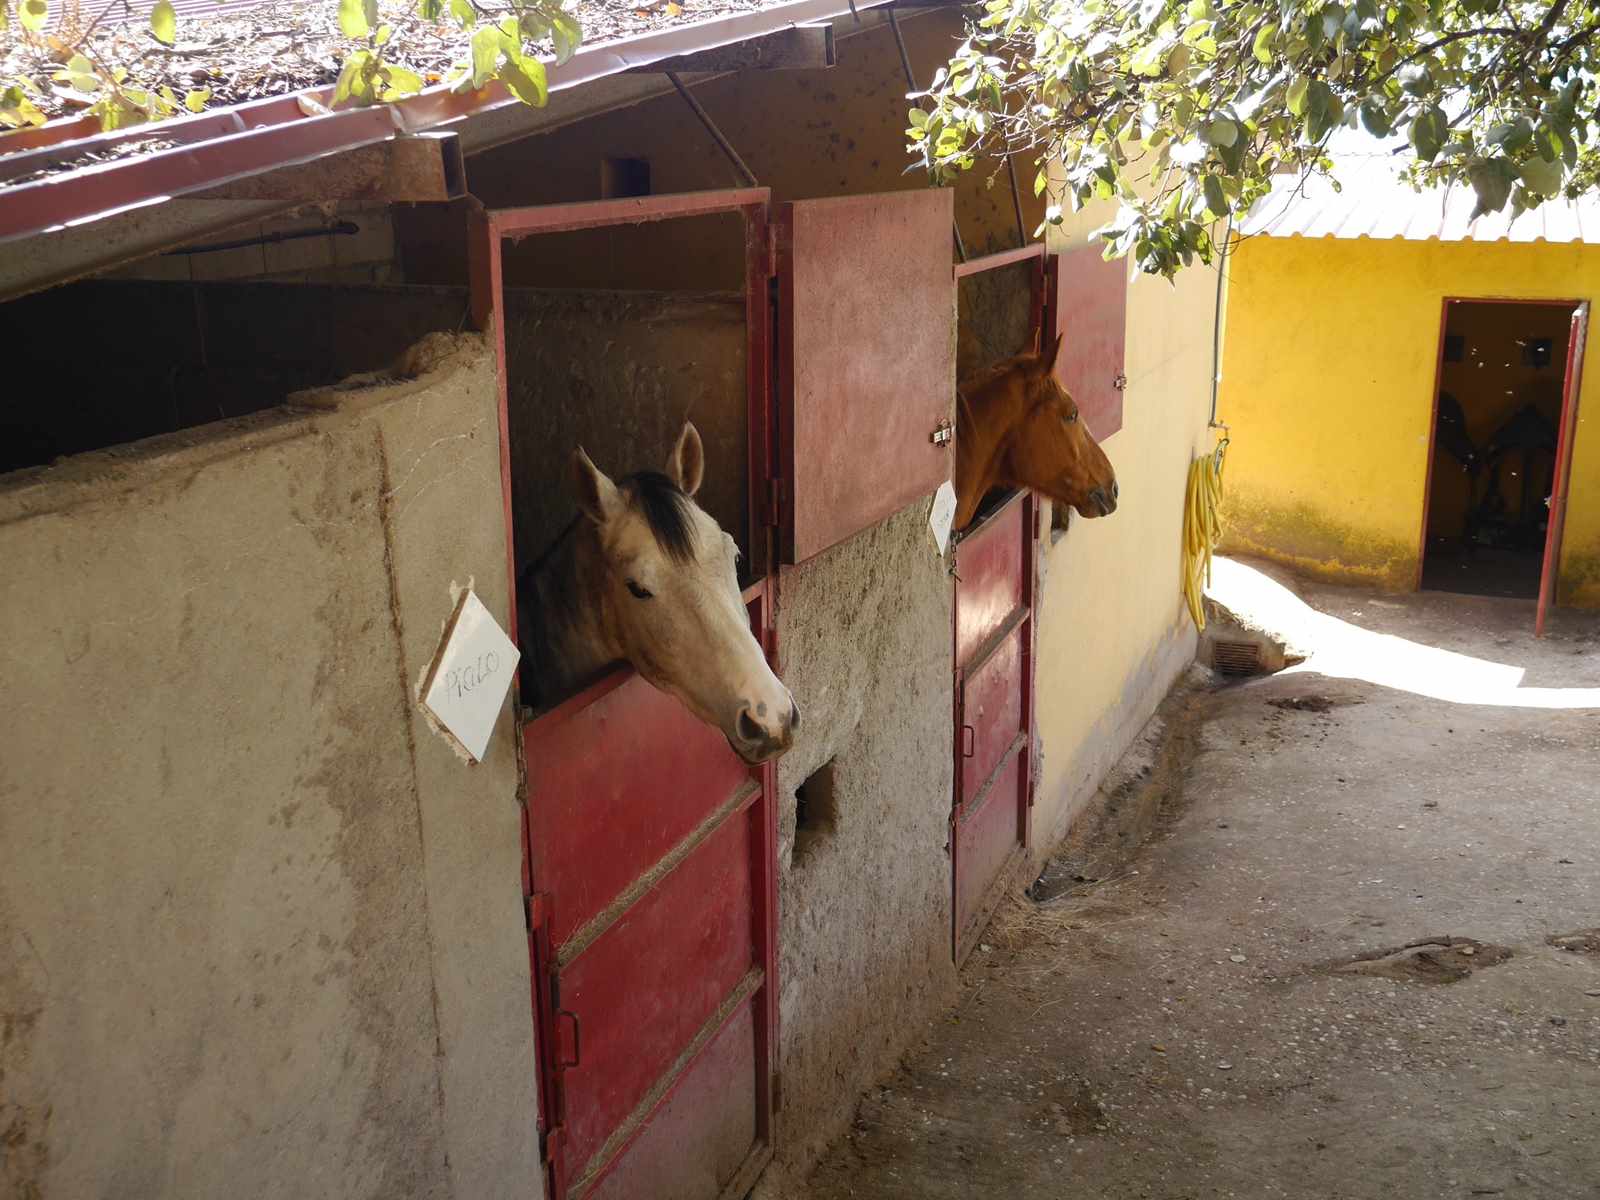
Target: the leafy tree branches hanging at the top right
(1185, 111)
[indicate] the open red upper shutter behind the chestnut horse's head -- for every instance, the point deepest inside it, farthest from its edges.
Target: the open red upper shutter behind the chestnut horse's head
(1092, 313)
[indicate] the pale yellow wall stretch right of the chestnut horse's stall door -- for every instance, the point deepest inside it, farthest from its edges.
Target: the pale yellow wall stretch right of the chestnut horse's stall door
(1113, 634)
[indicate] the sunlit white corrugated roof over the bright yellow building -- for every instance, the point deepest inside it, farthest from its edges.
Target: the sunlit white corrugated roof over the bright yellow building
(1372, 202)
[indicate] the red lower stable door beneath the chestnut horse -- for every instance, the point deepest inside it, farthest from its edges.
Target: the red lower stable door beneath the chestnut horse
(994, 711)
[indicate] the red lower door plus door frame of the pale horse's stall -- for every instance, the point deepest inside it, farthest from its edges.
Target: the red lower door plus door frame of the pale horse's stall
(650, 850)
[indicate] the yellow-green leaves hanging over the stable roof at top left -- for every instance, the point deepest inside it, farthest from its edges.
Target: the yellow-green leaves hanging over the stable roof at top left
(503, 42)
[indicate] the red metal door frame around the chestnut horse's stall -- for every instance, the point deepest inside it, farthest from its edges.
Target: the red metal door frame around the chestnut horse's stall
(1046, 266)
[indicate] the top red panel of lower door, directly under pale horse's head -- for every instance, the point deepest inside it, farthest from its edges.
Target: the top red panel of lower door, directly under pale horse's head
(591, 826)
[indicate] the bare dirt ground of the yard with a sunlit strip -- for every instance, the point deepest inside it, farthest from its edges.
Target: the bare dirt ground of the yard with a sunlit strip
(1358, 954)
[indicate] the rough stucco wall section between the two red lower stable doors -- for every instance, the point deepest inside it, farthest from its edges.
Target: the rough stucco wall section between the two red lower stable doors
(865, 914)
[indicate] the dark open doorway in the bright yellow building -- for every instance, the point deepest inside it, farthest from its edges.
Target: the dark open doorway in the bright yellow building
(1497, 433)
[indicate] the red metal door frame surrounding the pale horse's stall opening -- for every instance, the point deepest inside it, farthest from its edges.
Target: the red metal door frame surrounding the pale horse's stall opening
(490, 230)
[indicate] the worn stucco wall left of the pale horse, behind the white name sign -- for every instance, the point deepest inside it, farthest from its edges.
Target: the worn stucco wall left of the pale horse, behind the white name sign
(260, 927)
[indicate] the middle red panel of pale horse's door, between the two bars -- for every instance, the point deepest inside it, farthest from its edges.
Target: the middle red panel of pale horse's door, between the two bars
(644, 990)
